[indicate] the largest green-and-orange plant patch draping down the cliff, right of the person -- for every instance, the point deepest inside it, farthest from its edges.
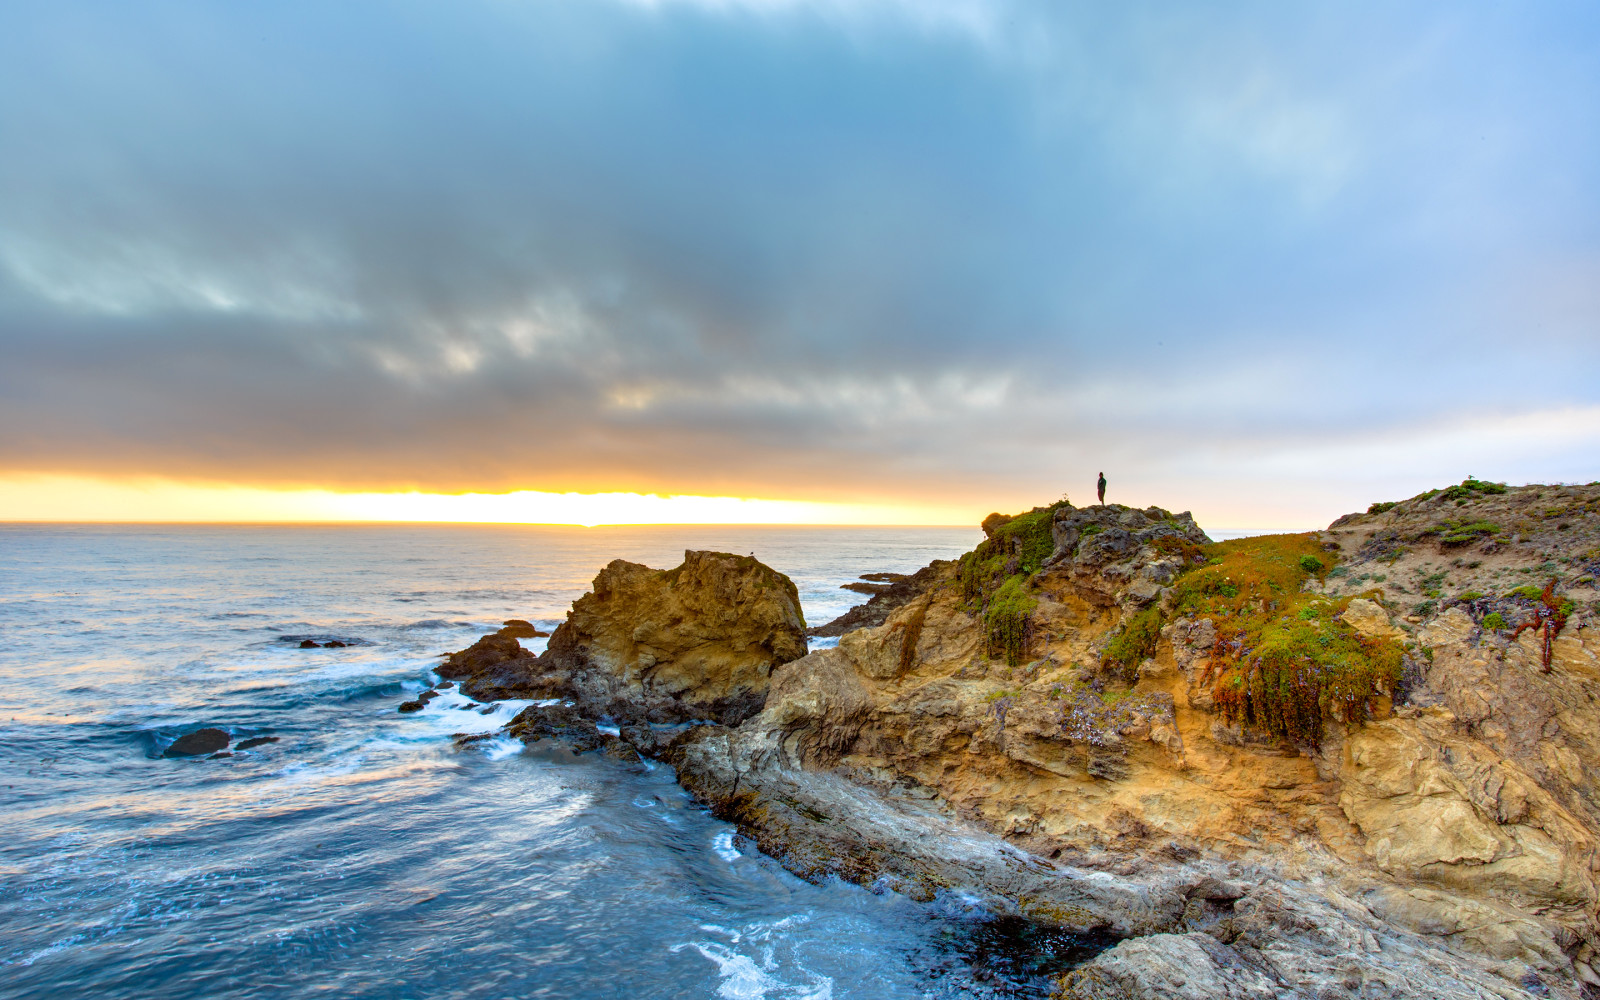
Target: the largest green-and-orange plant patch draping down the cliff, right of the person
(1284, 662)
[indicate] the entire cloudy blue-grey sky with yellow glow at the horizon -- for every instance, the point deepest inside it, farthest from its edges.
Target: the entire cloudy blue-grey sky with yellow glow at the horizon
(874, 260)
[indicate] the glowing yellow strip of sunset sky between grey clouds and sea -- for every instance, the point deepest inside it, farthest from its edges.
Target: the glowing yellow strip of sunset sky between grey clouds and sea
(55, 498)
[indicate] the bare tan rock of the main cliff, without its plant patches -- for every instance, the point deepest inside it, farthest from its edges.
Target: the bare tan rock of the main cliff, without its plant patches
(1447, 849)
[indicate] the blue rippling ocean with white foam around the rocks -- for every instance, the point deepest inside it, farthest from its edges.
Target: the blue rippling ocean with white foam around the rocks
(364, 855)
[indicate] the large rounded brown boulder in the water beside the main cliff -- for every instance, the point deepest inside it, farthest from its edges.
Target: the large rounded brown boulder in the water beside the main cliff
(698, 642)
